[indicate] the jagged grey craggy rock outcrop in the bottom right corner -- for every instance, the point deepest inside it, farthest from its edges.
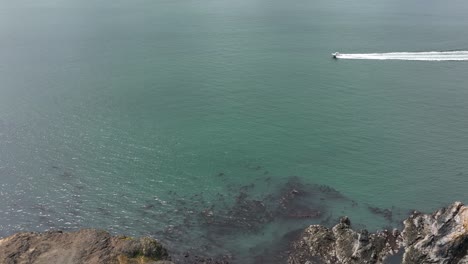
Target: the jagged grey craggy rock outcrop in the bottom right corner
(441, 237)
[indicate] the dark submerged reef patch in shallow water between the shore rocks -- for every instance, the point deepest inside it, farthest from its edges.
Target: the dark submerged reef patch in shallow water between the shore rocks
(248, 225)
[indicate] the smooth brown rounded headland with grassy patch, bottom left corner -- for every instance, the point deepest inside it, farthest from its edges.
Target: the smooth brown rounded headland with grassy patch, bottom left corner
(85, 246)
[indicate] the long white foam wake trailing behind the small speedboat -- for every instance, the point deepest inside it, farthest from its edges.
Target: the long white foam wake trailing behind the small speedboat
(411, 56)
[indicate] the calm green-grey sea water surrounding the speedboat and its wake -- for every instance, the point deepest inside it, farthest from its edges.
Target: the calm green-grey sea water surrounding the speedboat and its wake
(220, 126)
